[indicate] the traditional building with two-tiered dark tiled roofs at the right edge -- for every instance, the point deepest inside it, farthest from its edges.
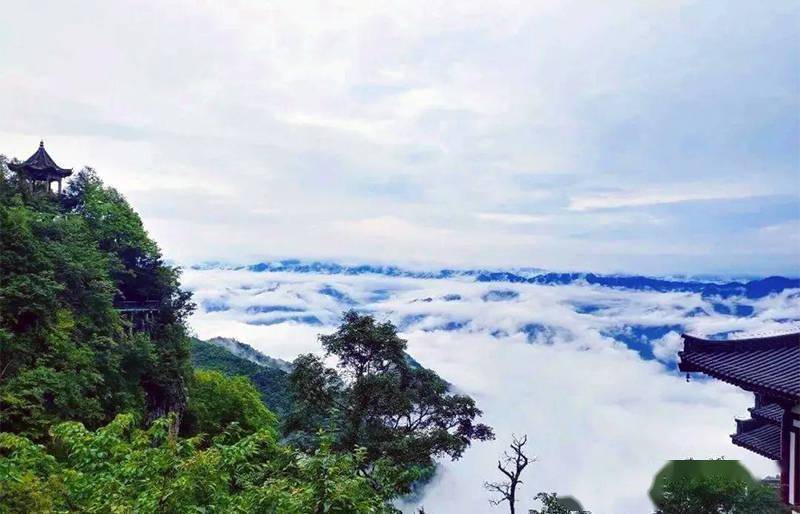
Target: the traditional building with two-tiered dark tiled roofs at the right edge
(769, 367)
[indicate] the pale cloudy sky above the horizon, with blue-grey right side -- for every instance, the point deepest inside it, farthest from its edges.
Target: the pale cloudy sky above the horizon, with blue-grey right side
(639, 136)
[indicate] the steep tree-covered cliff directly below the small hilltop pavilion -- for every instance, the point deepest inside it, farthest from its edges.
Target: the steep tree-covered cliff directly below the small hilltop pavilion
(66, 353)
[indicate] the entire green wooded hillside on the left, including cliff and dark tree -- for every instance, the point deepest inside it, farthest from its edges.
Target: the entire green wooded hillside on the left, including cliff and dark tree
(101, 410)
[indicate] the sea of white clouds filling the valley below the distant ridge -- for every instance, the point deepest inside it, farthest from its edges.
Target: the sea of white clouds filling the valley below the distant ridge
(587, 372)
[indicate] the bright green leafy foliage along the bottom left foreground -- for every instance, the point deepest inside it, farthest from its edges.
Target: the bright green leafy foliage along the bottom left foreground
(121, 468)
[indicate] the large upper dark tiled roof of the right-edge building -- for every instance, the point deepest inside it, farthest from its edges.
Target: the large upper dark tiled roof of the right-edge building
(768, 365)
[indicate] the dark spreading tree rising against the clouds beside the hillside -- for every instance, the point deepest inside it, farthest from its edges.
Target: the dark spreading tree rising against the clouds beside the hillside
(398, 413)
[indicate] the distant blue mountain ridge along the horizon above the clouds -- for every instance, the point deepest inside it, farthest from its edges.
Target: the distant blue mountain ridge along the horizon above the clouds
(757, 288)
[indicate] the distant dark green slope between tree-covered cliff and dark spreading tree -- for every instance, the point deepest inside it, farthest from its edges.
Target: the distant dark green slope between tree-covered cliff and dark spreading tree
(271, 383)
